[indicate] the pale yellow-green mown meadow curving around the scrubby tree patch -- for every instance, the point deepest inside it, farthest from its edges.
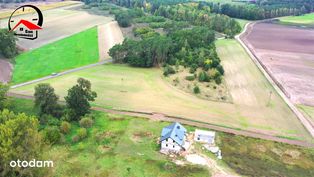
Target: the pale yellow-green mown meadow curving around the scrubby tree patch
(139, 89)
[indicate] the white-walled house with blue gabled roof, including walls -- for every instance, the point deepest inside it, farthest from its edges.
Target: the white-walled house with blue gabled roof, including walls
(173, 138)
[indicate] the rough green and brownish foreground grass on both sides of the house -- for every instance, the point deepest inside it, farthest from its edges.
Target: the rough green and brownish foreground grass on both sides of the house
(129, 148)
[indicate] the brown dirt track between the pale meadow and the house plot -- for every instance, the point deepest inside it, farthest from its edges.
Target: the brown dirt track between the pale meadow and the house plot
(163, 117)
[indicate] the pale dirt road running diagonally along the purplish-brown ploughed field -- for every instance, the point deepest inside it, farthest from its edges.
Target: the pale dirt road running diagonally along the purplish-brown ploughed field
(305, 122)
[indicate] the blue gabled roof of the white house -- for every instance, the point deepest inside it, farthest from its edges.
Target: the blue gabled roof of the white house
(174, 131)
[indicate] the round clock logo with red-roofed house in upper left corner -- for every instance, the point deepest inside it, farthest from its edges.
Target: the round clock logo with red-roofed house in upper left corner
(26, 26)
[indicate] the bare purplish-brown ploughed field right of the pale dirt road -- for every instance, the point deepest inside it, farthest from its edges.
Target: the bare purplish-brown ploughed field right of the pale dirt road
(288, 55)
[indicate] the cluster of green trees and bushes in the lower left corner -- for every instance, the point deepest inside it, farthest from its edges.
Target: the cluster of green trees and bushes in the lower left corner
(26, 137)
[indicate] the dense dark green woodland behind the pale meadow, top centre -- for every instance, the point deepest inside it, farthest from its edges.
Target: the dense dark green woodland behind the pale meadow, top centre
(188, 40)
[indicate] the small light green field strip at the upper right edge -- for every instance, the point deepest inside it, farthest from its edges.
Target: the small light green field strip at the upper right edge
(306, 20)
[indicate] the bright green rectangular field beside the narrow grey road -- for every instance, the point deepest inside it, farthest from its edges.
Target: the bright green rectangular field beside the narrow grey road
(68, 53)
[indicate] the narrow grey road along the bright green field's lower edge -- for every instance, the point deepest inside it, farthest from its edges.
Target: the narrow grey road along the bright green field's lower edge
(61, 73)
